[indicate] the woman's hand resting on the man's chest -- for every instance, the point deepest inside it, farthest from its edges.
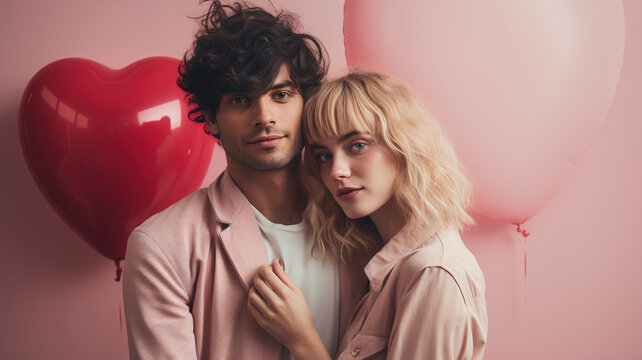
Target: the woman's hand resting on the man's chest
(279, 307)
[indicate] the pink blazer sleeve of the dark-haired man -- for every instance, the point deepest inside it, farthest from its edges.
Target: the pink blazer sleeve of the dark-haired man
(159, 322)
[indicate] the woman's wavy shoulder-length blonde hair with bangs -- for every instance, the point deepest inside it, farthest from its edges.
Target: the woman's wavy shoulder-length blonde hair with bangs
(431, 187)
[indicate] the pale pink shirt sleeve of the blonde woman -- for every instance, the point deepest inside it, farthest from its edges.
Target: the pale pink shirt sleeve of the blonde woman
(432, 320)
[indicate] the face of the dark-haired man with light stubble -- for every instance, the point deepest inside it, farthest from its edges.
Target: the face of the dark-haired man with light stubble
(261, 131)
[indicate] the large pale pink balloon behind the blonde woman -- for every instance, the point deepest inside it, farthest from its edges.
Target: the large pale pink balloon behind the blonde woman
(520, 86)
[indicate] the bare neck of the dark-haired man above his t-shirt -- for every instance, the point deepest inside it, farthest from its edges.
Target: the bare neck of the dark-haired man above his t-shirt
(277, 194)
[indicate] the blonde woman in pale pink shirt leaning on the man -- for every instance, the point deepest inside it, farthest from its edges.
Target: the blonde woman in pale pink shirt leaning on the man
(384, 180)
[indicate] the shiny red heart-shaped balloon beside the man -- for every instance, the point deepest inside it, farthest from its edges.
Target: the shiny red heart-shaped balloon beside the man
(109, 148)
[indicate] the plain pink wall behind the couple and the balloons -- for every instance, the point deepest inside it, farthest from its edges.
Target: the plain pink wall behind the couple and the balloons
(581, 296)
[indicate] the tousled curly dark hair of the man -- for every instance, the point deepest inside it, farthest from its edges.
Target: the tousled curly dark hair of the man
(240, 48)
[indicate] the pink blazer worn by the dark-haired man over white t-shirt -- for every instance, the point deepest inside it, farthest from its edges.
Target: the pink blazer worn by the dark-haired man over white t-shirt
(186, 279)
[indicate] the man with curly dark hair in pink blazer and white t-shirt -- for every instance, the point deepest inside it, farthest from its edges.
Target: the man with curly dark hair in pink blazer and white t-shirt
(189, 268)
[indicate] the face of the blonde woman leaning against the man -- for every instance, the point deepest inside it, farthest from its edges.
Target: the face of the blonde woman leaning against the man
(359, 173)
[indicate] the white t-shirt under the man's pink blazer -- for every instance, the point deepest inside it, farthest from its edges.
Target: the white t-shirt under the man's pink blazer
(317, 279)
